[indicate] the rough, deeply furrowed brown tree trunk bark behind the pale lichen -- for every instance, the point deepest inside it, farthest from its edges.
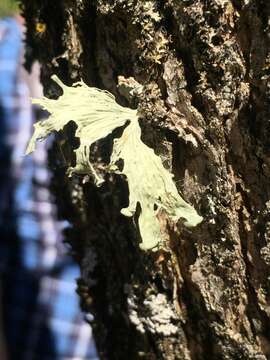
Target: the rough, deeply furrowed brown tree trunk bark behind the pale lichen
(205, 109)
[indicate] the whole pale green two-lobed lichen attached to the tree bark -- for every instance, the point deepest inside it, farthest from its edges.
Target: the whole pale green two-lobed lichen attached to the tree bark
(96, 115)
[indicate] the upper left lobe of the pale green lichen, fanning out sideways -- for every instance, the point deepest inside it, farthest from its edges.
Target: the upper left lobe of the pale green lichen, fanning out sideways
(95, 113)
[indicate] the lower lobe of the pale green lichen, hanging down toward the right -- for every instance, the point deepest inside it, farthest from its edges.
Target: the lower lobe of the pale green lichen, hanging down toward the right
(150, 184)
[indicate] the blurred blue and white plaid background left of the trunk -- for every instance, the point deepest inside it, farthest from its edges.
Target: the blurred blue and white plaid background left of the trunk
(40, 316)
